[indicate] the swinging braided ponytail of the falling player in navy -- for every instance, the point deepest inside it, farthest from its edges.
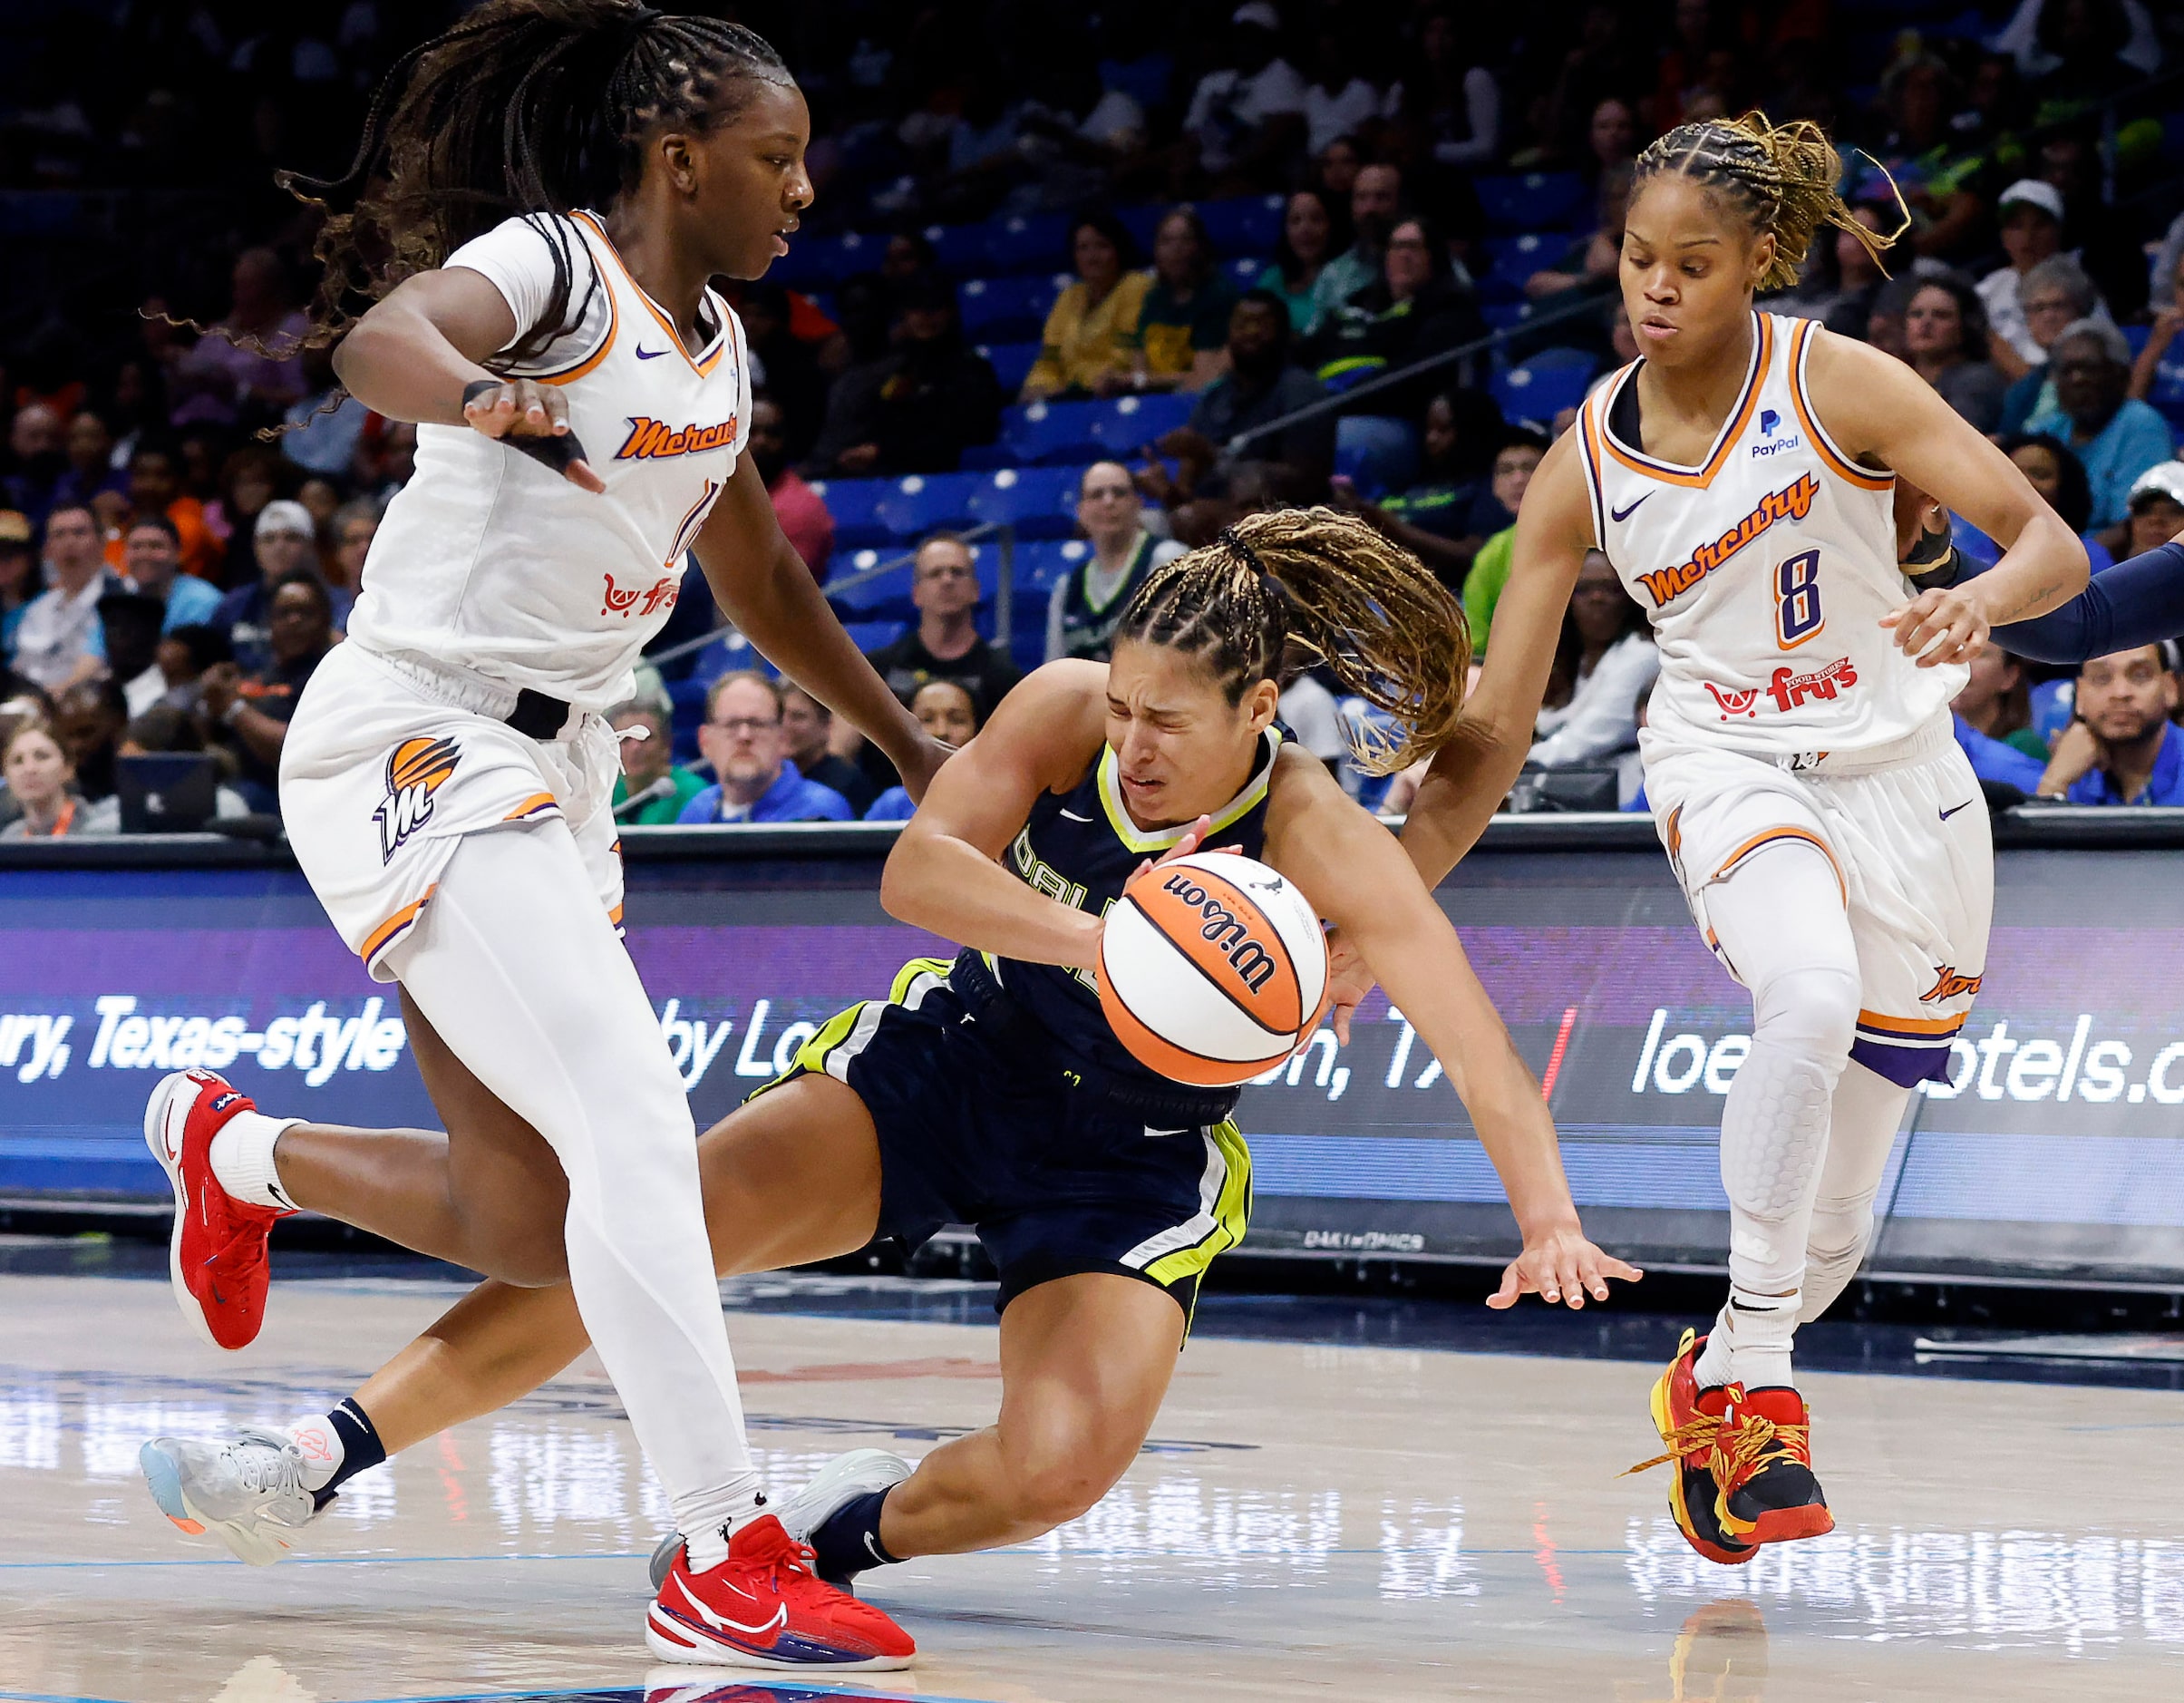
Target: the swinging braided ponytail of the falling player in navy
(1327, 586)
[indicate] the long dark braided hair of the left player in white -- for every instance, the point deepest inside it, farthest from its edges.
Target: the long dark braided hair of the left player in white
(527, 108)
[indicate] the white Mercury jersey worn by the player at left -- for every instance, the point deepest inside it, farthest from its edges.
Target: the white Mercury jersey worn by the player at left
(497, 564)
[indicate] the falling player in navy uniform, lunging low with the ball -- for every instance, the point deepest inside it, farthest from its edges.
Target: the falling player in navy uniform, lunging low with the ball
(990, 1091)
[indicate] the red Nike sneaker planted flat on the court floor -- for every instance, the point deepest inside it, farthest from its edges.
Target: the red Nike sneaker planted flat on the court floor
(765, 1608)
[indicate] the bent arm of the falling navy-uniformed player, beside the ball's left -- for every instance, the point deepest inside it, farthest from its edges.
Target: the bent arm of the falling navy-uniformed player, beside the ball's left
(947, 872)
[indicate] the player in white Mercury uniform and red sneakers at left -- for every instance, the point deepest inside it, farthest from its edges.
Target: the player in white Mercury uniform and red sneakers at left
(530, 228)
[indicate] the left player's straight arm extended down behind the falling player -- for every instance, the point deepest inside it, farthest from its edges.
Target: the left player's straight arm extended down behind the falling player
(765, 588)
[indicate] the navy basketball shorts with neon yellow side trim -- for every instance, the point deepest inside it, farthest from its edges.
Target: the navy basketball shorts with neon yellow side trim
(1056, 1180)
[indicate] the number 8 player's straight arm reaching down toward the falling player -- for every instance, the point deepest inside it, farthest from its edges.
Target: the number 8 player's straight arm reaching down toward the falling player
(1471, 776)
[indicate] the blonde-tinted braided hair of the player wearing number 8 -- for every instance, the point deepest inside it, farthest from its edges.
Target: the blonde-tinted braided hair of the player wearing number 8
(1781, 178)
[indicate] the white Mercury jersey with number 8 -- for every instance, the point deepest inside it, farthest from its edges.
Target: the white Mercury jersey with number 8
(1766, 573)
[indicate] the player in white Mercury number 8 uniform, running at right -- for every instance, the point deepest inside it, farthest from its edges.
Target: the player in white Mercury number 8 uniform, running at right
(1818, 813)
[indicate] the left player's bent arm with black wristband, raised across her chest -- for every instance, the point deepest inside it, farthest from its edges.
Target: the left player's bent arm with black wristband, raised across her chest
(418, 353)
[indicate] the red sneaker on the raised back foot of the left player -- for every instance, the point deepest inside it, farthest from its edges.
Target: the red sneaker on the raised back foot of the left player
(217, 1254)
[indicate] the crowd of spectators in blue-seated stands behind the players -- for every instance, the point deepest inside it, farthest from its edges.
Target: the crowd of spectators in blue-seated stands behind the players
(1071, 294)
